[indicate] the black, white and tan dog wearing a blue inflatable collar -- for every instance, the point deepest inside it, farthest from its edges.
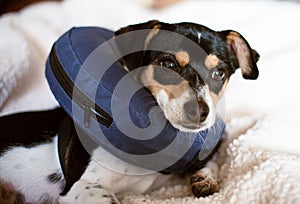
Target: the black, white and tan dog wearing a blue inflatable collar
(29, 155)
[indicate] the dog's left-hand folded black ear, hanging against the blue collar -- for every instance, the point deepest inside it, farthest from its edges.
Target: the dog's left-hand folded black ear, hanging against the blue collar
(136, 42)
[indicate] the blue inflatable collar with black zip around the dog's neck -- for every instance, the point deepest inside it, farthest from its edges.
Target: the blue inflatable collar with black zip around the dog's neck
(88, 99)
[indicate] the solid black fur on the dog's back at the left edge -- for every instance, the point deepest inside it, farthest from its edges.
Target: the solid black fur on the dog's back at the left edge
(29, 128)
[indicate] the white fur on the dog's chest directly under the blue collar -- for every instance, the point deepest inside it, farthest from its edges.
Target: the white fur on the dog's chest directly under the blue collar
(113, 175)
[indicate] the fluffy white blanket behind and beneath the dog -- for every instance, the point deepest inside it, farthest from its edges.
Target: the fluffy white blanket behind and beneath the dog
(260, 159)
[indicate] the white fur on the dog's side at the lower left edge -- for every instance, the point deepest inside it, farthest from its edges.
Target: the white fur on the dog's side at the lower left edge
(27, 169)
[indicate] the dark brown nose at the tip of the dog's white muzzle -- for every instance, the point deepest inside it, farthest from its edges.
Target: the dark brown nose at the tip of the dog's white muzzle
(196, 111)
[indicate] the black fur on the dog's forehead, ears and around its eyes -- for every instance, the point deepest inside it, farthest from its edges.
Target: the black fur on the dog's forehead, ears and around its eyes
(205, 42)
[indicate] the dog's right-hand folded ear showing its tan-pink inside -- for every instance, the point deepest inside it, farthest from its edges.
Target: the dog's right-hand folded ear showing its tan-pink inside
(244, 56)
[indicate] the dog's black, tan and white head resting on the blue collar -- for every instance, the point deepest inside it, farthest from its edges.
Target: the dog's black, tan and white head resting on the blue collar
(186, 67)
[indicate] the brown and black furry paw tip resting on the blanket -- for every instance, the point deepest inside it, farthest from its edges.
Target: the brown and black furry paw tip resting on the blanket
(203, 184)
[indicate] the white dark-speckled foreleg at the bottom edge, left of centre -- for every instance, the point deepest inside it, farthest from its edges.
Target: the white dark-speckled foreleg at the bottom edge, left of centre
(88, 192)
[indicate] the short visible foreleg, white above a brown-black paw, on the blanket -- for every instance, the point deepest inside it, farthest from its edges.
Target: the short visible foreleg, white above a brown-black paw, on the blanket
(205, 181)
